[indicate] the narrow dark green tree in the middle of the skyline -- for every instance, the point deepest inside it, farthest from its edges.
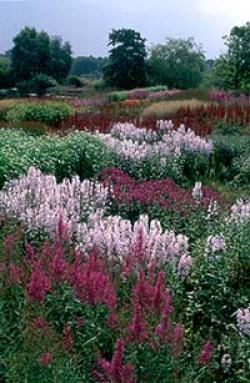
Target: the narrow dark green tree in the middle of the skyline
(126, 68)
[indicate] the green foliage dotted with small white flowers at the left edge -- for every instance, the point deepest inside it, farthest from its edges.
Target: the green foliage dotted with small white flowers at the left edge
(76, 153)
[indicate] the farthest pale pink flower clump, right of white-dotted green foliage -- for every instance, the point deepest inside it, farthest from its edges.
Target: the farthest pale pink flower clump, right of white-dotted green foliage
(133, 143)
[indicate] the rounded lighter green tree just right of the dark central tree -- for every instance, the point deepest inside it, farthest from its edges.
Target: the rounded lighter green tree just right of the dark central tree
(179, 63)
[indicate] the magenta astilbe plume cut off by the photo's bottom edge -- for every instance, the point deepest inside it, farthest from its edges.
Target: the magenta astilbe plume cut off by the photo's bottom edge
(115, 371)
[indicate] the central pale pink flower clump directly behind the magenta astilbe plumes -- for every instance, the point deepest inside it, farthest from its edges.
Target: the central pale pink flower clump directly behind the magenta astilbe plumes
(117, 238)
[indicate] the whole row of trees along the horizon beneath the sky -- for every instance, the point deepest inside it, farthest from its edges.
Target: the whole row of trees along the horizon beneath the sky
(37, 61)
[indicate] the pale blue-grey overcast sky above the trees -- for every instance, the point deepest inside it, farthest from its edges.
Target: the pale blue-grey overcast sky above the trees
(86, 23)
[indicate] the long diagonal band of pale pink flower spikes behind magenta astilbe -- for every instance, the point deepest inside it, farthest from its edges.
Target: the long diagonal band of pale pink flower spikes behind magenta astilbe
(39, 202)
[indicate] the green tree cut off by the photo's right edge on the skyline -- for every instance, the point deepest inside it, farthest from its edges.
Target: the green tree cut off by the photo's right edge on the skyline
(232, 69)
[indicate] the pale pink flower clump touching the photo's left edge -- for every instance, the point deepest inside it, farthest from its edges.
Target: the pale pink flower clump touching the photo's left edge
(40, 202)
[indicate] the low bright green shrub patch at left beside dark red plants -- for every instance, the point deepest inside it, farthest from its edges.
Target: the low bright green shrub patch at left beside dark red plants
(46, 112)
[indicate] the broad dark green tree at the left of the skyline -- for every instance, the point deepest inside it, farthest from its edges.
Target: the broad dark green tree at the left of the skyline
(36, 53)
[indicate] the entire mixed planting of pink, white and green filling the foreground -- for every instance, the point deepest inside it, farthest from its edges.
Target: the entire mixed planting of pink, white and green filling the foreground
(117, 263)
